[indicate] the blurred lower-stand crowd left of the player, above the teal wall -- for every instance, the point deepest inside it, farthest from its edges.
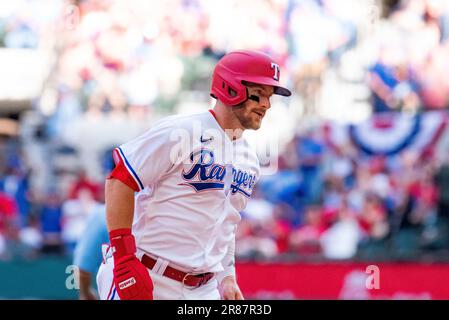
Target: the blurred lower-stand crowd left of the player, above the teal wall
(34, 222)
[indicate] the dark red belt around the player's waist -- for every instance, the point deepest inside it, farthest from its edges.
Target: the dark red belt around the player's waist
(189, 279)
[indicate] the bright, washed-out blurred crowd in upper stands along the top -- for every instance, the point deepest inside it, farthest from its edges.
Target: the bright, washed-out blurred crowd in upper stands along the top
(134, 56)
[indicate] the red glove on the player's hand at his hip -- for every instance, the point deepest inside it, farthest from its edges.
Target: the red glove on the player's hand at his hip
(131, 277)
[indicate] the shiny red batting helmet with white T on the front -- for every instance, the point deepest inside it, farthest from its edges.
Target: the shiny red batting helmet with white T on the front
(236, 67)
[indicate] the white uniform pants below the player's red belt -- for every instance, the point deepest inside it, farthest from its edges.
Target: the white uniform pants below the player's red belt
(164, 288)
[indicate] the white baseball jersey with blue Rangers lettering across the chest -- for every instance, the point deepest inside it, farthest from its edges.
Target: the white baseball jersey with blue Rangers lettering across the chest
(193, 181)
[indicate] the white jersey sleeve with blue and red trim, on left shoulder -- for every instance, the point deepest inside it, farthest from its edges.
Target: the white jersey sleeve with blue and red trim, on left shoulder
(149, 156)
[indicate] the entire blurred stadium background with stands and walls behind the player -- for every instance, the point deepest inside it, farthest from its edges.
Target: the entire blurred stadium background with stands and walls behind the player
(363, 173)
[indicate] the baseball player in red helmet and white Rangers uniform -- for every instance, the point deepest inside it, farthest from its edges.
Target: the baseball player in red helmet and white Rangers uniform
(174, 196)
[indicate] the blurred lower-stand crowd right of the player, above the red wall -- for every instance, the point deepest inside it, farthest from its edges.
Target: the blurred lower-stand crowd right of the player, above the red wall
(335, 202)
